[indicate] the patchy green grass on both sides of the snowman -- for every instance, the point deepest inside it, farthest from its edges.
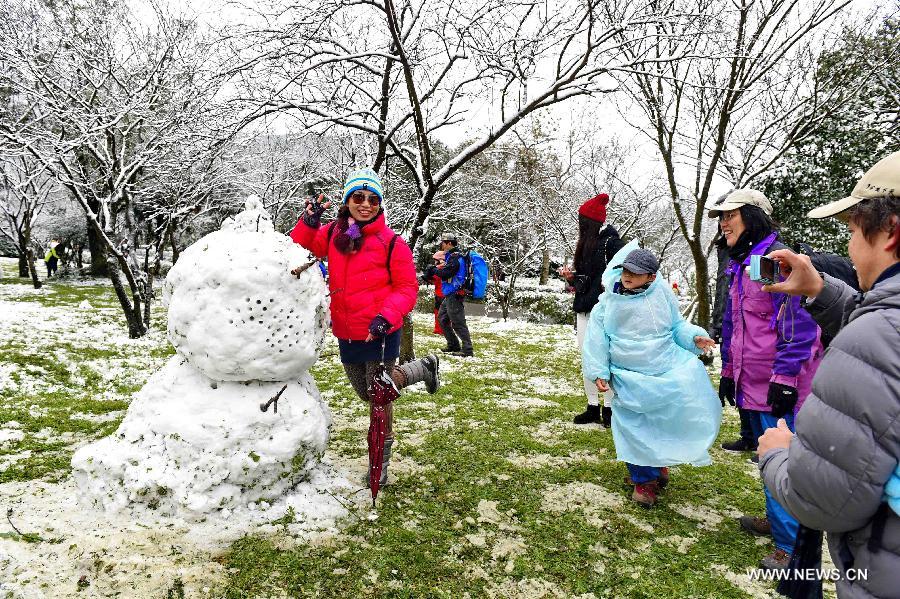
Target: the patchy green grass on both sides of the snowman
(493, 492)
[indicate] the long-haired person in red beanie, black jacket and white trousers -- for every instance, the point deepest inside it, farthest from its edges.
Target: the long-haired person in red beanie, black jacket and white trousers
(598, 242)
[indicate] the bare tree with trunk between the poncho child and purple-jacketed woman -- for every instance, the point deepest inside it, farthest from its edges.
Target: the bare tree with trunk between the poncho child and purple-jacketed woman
(725, 114)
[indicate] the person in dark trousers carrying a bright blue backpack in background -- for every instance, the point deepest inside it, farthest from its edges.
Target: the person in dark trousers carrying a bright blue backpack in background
(452, 313)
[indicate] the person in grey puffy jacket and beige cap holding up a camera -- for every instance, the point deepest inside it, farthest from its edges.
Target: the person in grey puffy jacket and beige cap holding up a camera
(834, 473)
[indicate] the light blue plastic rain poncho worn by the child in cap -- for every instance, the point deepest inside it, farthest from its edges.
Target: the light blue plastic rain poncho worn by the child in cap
(665, 411)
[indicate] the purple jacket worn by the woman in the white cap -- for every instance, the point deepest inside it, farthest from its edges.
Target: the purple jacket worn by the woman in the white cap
(766, 337)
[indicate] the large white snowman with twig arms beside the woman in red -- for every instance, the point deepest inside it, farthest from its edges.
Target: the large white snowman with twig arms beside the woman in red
(206, 433)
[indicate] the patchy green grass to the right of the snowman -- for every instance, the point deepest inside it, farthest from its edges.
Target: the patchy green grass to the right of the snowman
(474, 518)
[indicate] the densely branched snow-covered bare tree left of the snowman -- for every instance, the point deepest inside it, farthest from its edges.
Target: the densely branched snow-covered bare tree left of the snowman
(112, 101)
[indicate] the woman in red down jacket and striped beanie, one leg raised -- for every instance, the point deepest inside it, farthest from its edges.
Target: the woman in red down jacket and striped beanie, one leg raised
(372, 280)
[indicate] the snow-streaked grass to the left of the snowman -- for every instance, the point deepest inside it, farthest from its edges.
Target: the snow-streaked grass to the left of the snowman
(66, 374)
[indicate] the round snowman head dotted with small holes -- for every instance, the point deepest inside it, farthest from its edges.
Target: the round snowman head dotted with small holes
(235, 311)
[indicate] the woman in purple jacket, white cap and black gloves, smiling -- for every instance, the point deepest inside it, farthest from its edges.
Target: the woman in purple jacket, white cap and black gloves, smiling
(771, 346)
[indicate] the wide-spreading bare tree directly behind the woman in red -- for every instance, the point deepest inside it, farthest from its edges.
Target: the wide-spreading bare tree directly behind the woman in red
(402, 71)
